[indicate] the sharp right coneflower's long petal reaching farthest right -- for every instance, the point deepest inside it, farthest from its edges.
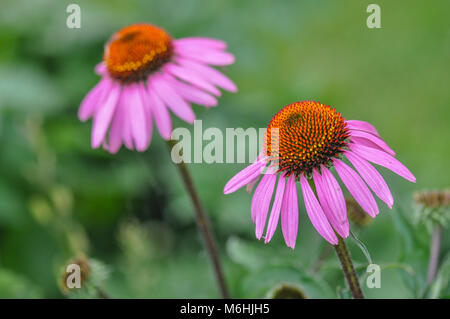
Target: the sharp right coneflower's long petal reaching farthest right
(383, 159)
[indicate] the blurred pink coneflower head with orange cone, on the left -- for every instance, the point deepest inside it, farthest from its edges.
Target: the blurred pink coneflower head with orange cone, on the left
(145, 73)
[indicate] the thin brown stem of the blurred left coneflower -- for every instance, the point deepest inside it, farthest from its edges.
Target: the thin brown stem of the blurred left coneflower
(204, 225)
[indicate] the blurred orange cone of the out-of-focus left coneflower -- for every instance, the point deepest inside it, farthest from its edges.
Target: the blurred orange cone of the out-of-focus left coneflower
(137, 50)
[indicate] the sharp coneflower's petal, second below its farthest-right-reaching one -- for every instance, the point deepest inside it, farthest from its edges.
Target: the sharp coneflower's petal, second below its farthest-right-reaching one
(356, 187)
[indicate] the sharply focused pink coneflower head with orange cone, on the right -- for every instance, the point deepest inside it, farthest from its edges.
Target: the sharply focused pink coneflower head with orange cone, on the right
(303, 142)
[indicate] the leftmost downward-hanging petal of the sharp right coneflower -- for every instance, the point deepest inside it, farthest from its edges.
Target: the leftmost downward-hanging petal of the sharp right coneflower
(261, 202)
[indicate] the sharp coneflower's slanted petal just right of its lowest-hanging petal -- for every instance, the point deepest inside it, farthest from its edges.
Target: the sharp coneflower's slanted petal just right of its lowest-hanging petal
(316, 214)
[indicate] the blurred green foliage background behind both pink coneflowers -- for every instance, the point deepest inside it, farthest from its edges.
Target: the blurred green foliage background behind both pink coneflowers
(129, 212)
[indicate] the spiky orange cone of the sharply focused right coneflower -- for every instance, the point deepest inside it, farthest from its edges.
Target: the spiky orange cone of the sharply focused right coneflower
(305, 135)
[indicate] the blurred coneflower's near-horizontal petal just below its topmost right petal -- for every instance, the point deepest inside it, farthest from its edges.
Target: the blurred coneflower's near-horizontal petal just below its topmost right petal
(209, 56)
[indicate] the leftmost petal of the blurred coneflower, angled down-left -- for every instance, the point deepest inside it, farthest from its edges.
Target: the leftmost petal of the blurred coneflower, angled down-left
(94, 99)
